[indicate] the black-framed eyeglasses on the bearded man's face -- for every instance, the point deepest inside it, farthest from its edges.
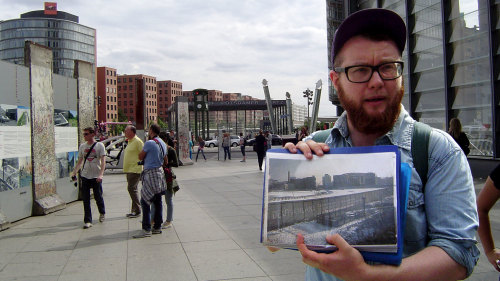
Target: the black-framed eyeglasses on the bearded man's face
(363, 73)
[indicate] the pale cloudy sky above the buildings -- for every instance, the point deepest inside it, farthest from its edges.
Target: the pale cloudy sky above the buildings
(214, 44)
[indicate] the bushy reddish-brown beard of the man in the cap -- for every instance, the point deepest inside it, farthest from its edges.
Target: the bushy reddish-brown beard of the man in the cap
(380, 123)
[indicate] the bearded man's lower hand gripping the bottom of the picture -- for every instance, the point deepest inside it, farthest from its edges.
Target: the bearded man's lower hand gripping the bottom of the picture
(346, 263)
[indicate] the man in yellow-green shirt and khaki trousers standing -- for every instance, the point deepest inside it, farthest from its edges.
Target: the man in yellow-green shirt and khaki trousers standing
(132, 169)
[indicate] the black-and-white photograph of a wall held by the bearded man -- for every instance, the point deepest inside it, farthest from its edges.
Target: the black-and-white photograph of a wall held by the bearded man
(353, 195)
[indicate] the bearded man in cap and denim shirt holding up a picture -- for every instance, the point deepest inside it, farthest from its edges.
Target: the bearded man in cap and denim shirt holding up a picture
(441, 220)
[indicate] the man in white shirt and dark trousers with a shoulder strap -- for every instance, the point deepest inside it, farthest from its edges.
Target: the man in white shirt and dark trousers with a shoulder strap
(93, 155)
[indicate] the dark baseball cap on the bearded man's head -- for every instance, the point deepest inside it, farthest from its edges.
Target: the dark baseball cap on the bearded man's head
(368, 21)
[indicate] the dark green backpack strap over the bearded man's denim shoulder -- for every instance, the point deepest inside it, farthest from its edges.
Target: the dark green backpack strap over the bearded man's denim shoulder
(420, 150)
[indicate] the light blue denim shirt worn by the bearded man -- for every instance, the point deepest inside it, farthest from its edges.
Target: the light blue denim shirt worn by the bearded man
(445, 215)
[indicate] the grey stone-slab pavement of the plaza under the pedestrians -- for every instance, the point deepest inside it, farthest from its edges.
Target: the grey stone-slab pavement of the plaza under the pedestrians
(215, 235)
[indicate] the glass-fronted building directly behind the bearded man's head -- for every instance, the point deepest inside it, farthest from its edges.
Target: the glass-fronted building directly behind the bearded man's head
(452, 64)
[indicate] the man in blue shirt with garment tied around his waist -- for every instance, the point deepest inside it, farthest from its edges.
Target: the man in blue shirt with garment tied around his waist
(154, 154)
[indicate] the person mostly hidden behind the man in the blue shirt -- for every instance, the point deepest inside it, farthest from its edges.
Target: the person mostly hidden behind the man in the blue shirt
(170, 177)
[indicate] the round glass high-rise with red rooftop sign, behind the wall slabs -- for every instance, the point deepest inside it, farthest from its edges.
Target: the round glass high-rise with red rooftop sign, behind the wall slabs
(68, 39)
